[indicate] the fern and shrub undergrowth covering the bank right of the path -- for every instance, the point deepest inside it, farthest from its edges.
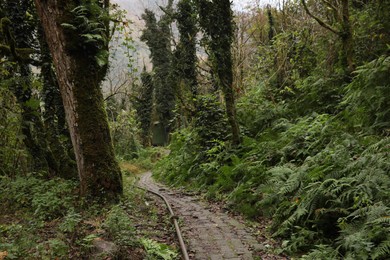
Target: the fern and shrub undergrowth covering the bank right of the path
(323, 178)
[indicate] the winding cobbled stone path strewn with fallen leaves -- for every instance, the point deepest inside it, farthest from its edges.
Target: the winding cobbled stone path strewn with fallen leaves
(209, 233)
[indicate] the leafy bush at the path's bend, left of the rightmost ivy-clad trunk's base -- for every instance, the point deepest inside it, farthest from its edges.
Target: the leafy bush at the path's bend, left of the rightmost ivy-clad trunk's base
(196, 149)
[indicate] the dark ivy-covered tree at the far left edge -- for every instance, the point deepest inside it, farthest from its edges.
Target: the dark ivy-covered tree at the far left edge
(17, 45)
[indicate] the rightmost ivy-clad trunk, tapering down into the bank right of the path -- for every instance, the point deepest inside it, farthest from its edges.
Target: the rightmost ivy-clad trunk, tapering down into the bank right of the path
(216, 20)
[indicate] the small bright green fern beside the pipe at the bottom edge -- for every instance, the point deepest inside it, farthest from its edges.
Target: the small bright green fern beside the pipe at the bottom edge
(155, 250)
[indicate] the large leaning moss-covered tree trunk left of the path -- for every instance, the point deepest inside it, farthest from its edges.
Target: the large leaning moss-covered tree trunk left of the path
(79, 78)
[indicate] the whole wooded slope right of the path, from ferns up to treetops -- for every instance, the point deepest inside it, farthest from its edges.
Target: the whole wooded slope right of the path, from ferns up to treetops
(315, 130)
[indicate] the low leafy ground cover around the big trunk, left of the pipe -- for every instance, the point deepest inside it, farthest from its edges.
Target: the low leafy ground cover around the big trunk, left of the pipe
(46, 219)
